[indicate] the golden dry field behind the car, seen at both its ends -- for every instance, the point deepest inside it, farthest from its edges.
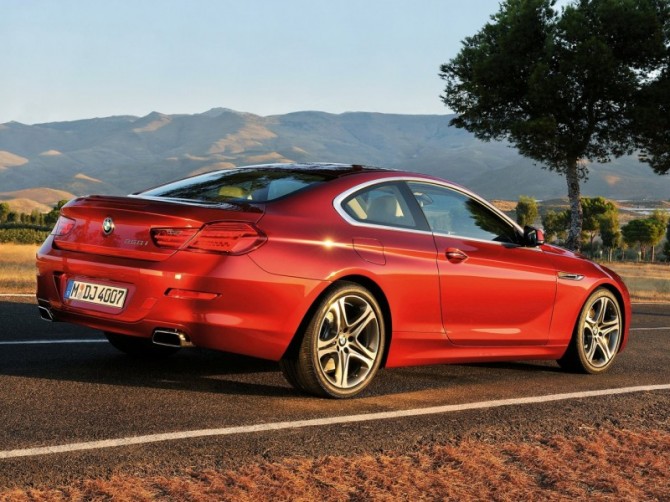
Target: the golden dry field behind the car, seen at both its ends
(646, 281)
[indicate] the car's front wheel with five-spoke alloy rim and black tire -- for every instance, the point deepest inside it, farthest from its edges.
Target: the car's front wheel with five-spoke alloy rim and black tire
(597, 336)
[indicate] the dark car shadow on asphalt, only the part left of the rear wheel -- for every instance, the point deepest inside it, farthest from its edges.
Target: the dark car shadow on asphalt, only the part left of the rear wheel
(197, 370)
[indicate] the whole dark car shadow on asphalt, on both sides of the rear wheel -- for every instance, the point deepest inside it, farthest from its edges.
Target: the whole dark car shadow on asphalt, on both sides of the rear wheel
(200, 370)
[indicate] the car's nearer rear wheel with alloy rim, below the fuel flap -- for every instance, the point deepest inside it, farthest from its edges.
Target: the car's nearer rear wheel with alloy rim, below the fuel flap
(342, 345)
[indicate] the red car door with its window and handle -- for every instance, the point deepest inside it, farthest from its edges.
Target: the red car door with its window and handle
(493, 291)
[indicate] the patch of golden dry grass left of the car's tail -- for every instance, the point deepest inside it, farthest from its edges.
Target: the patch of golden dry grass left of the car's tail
(17, 268)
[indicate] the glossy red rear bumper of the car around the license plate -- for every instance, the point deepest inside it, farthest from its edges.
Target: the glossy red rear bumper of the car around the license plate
(253, 313)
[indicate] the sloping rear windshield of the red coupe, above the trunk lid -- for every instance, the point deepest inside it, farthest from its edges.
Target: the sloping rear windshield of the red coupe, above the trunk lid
(241, 185)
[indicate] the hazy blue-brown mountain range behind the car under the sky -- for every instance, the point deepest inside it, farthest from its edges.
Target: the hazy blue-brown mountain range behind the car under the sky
(42, 163)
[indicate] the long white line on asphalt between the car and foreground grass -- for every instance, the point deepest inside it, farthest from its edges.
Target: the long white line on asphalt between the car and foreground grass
(317, 422)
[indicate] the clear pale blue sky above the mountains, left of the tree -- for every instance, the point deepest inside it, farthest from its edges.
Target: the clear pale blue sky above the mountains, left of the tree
(71, 59)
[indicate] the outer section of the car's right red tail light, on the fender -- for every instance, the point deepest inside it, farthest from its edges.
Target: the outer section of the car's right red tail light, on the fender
(228, 237)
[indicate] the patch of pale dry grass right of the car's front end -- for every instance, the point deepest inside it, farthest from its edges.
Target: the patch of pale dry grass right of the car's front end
(647, 282)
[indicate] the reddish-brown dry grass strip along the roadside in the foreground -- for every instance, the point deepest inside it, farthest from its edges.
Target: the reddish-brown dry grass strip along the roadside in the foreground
(594, 465)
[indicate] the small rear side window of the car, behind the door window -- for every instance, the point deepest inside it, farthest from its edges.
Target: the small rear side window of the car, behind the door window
(380, 205)
